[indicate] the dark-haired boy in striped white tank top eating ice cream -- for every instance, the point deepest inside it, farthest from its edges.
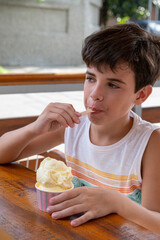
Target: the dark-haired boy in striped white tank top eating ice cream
(111, 148)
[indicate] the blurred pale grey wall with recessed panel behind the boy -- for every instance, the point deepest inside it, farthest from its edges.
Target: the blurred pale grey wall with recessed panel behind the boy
(45, 34)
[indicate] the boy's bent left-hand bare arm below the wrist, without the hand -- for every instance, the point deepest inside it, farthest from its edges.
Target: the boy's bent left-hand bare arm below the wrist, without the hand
(24, 142)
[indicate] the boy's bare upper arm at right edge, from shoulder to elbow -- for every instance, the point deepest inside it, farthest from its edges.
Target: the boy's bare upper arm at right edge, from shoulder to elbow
(151, 173)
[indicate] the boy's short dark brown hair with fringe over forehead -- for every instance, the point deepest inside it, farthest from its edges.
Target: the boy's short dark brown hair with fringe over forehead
(128, 43)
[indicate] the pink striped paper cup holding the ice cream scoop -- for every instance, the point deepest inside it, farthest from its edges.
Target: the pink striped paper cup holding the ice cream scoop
(44, 196)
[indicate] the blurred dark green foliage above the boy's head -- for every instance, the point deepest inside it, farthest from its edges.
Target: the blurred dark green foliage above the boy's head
(124, 10)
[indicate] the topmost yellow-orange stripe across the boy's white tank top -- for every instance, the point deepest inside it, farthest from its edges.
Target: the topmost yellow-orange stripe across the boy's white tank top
(101, 173)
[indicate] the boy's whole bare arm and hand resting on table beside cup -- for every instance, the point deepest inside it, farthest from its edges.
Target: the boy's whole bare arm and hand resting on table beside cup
(97, 202)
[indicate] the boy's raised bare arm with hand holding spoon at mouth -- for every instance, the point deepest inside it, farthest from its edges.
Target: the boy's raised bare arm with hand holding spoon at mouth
(43, 134)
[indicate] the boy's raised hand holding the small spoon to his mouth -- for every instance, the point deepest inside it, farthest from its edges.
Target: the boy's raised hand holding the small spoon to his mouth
(56, 115)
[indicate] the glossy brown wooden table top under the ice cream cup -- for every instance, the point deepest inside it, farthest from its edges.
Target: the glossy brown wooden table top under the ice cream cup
(20, 217)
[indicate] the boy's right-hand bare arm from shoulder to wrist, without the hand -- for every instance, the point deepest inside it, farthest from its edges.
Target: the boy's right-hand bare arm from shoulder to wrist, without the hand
(147, 215)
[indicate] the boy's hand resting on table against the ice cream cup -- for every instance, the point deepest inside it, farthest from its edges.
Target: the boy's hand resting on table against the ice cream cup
(93, 202)
